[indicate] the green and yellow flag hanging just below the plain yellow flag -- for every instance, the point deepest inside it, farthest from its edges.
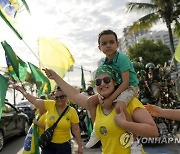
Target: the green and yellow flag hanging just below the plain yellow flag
(42, 82)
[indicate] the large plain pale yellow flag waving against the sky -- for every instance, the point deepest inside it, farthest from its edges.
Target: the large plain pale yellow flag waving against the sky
(55, 55)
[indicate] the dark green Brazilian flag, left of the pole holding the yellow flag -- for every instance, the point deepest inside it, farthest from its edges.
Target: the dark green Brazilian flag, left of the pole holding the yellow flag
(16, 67)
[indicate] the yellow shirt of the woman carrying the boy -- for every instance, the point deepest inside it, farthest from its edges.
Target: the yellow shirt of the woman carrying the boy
(109, 133)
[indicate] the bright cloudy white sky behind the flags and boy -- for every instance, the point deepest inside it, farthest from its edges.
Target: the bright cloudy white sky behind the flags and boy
(76, 23)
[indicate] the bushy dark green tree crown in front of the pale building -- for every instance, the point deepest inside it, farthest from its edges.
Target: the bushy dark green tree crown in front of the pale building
(150, 51)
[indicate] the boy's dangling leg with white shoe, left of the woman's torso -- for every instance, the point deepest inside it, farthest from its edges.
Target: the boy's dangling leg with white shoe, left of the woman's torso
(92, 103)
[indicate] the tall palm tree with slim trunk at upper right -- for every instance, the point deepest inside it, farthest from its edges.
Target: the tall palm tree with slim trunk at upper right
(167, 11)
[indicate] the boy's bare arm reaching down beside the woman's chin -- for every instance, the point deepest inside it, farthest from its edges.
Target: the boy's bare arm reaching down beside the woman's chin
(123, 86)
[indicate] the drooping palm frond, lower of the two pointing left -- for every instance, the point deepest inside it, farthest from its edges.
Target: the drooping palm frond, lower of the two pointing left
(144, 23)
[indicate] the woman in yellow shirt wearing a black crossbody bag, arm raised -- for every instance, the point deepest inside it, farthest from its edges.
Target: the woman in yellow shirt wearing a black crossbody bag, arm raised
(60, 143)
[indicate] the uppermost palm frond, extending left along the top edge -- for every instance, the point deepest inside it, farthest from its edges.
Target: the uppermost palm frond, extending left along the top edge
(131, 6)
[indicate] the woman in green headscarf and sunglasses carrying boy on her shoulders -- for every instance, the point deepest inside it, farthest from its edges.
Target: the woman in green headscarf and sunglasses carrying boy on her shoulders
(110, 127)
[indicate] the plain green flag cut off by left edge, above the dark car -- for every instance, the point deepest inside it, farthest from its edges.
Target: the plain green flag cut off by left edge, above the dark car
(3, 90)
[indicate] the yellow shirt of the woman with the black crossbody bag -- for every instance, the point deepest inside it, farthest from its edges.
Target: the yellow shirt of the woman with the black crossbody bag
(62, 132)
